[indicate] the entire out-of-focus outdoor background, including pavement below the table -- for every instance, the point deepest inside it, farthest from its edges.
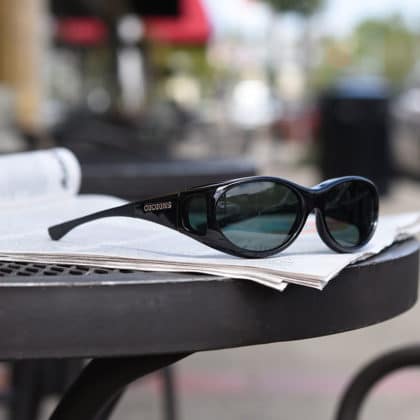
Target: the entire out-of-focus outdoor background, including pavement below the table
(158, 96)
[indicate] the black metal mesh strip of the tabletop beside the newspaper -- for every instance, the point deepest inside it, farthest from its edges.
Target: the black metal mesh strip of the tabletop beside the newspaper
(17, 268)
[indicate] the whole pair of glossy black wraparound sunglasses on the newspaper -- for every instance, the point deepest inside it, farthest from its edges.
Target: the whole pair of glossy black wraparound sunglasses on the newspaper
(258, 216)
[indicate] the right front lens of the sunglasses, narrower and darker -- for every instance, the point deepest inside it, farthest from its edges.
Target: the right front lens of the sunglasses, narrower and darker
(350, 212)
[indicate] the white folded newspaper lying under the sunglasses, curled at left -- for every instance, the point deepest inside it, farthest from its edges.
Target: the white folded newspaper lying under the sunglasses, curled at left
(40, 189)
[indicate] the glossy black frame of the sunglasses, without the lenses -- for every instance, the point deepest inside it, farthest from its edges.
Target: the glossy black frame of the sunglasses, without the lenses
(171, 211)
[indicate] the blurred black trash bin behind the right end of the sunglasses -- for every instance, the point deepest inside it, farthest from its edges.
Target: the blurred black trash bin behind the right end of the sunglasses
(354, 130)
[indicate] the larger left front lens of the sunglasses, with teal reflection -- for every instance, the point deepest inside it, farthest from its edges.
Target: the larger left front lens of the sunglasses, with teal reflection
(258, 216)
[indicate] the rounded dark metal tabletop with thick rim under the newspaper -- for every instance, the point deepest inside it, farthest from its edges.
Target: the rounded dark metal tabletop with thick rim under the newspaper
(80, 312)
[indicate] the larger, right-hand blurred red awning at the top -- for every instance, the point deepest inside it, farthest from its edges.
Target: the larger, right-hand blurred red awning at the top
(192, 26)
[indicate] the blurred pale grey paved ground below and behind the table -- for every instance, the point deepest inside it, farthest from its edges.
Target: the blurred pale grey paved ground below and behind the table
(296, 380)
